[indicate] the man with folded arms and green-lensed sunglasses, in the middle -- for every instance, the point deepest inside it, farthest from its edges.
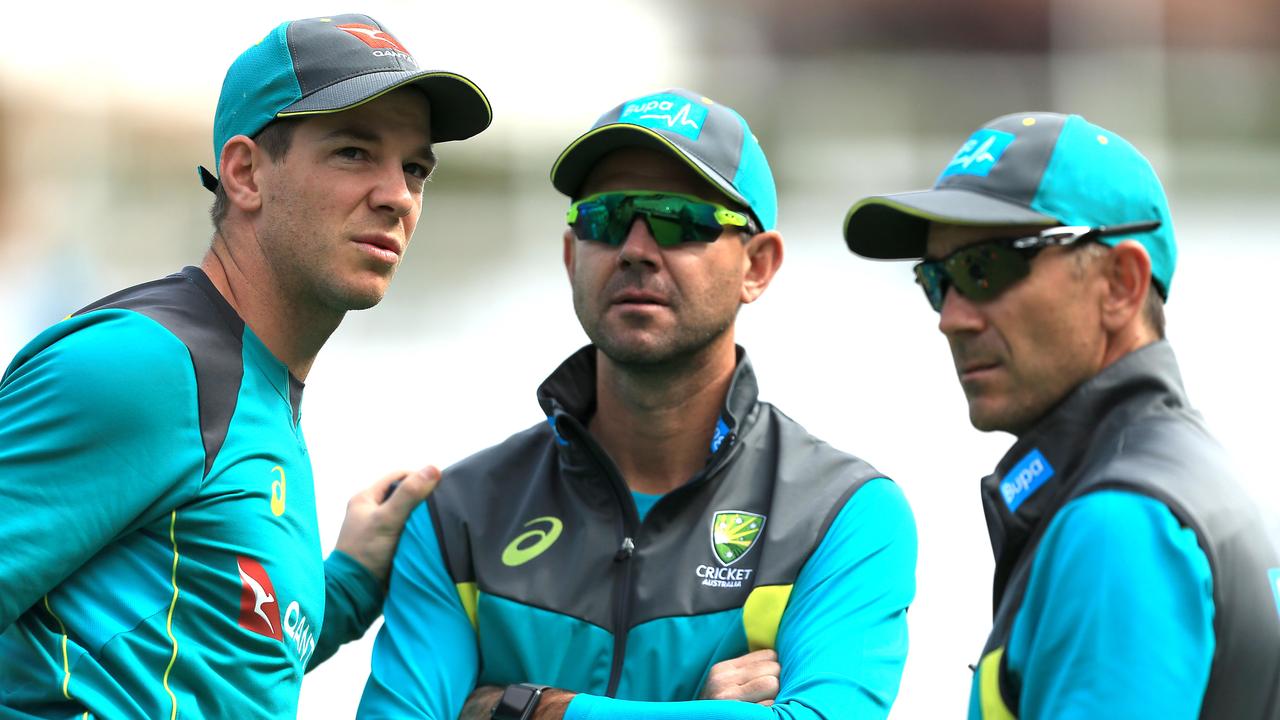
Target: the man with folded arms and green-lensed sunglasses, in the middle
(665, 536)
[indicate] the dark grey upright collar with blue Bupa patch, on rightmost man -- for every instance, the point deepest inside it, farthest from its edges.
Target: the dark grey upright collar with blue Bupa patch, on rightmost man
(1041, 470)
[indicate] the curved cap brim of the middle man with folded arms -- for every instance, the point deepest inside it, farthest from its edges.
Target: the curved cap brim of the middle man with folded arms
(575, 163)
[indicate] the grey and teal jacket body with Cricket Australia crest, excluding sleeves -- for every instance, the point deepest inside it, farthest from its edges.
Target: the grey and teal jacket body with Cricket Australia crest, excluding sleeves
(565, 584)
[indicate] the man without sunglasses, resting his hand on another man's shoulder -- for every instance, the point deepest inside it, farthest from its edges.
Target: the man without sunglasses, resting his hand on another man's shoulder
(161, 555)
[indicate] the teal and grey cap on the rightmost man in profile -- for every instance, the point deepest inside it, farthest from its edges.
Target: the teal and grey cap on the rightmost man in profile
(1027, 170)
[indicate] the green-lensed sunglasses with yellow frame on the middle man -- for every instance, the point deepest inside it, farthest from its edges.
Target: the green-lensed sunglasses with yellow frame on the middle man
(673, 220)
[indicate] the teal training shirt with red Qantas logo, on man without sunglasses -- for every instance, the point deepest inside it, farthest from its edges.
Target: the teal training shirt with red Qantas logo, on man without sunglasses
(161, 548)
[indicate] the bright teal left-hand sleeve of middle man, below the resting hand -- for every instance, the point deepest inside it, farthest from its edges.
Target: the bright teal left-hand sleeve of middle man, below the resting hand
(426, 659)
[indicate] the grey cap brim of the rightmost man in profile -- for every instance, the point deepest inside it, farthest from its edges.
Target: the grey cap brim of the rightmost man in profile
(895, 227)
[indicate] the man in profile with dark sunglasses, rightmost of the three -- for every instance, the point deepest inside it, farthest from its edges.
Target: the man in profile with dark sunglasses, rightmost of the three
(1133, 577)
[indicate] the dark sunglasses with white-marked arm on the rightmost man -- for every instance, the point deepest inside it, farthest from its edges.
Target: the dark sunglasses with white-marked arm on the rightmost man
(986, 270)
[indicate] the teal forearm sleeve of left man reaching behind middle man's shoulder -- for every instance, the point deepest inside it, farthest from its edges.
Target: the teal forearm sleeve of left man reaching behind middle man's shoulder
(353, 601)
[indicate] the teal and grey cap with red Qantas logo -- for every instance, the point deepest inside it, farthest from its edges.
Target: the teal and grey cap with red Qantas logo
(332, 65)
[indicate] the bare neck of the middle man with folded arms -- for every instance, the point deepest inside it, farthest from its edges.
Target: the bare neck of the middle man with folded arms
(657, 422)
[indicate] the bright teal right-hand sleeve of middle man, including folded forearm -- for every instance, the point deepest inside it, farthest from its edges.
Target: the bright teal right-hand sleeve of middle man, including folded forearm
(843, 639)
